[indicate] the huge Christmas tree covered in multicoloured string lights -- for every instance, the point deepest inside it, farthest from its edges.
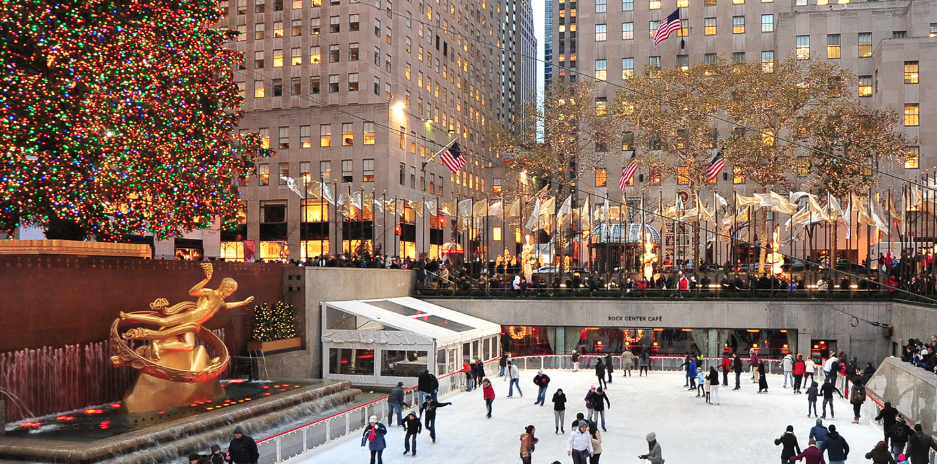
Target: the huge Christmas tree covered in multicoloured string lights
(118, 117)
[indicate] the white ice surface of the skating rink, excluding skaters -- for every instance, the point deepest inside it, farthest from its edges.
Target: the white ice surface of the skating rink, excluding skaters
(740, 430)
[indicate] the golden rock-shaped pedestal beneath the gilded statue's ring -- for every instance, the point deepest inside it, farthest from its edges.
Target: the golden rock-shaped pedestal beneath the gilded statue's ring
(150, 394)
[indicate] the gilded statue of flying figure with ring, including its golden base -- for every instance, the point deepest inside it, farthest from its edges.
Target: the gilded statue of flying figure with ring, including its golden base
(173, 368)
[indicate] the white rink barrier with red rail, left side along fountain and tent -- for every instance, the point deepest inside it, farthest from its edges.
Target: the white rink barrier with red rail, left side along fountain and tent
(296, 441)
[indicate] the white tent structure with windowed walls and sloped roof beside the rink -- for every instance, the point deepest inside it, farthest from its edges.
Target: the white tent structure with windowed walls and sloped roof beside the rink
(385, 341)
